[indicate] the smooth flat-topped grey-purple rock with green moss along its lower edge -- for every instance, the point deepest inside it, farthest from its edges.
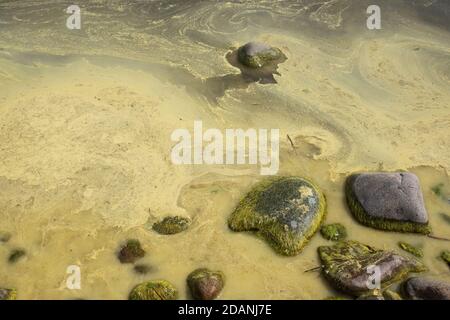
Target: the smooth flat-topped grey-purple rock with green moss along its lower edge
(388, 201)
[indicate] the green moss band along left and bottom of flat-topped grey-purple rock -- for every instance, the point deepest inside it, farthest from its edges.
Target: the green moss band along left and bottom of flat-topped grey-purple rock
(380, 223)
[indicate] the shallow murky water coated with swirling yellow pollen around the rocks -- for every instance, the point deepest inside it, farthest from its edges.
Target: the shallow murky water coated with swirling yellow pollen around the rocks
(86, 119)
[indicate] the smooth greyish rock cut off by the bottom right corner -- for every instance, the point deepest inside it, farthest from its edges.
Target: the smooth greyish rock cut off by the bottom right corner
(426, 289)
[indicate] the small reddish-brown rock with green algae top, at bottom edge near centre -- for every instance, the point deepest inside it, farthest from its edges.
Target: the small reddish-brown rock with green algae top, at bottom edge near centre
(205, 284)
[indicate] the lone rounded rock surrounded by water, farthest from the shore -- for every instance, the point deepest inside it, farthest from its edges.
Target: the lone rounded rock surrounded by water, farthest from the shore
(257, 55)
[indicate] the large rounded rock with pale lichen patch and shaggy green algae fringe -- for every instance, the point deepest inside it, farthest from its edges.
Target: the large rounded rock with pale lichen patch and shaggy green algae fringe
(286, 212)
